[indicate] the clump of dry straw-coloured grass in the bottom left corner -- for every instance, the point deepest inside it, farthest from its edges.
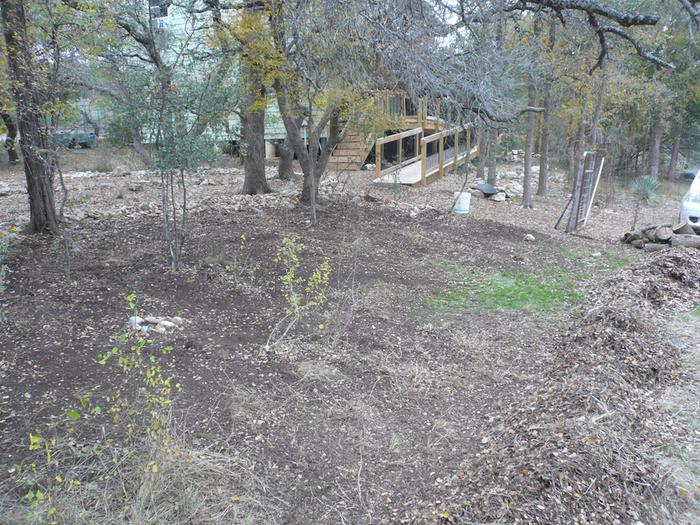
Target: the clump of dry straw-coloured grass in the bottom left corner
(193, 484)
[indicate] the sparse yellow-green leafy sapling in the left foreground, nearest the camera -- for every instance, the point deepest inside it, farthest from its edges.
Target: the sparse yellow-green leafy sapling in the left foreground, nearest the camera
(145, 415)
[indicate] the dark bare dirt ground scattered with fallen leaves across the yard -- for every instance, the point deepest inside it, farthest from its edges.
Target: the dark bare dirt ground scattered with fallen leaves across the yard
(372, 401)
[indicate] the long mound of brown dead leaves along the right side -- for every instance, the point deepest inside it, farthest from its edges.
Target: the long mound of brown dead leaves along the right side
(579, 447)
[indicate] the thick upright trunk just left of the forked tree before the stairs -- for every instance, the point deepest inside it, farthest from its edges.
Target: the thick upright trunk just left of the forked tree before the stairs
(253, 133)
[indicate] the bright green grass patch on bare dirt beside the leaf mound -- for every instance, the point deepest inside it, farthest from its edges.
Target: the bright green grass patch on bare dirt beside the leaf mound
(512, 291)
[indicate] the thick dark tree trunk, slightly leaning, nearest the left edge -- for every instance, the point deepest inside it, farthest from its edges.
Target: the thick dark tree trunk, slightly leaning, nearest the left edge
(34, 142)
